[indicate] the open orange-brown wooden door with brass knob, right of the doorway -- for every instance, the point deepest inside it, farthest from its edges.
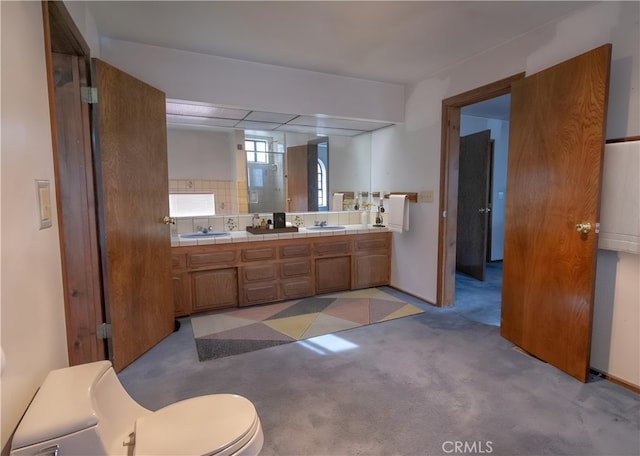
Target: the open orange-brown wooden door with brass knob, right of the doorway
(554, 167)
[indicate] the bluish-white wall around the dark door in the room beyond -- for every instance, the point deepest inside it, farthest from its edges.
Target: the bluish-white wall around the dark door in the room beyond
(500, 135)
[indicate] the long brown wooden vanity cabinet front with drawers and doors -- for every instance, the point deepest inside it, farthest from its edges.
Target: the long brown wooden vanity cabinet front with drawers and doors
(220, 276)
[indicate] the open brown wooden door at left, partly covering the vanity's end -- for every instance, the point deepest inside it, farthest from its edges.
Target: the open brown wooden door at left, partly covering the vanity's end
(132, 184)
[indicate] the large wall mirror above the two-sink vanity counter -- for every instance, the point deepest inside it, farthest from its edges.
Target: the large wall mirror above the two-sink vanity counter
(266, 171)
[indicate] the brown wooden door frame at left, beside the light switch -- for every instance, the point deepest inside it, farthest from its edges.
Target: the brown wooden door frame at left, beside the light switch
(82, 286)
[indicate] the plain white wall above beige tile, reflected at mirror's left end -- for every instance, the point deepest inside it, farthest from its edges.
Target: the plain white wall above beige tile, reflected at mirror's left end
(201, 154)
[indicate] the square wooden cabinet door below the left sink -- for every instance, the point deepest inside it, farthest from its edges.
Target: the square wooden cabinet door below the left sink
(215, 289)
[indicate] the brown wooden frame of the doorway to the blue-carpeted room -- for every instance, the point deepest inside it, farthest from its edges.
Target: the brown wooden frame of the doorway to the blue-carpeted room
(449, 161)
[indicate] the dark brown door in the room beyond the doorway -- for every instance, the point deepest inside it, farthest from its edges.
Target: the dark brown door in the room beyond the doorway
(473, 204)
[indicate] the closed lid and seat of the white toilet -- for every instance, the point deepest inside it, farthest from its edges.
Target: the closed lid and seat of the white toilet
(205, 425)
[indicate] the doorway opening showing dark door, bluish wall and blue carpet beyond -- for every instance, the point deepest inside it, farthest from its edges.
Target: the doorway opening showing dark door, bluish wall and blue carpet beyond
(484, 141)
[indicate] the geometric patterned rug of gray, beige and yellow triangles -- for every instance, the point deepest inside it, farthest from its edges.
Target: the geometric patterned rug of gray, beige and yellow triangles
(236, 331)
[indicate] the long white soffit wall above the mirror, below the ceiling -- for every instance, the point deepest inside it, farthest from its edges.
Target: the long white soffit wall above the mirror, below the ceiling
(235, 83)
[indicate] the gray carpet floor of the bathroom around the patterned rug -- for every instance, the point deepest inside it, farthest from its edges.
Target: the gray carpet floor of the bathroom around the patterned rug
(437, 383)
